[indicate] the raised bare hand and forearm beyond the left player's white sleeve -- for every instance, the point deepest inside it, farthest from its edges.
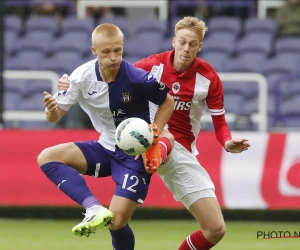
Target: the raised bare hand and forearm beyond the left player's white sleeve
(53, 112)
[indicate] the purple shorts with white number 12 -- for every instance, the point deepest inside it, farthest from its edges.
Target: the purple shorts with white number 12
(132, 180)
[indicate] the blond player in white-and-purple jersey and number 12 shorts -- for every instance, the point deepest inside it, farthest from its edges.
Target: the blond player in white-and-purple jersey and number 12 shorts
(109, 90)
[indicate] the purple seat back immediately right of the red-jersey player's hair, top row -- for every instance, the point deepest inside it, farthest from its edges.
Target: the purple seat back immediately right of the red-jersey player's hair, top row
(231, 25)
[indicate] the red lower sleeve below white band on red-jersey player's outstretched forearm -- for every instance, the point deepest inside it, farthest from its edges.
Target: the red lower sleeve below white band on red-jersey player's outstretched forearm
(222, 130)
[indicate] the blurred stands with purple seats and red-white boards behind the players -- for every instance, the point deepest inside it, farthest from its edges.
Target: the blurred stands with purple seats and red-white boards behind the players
(41, 40)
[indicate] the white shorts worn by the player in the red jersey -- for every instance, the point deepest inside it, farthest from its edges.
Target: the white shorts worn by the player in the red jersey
(185, 177)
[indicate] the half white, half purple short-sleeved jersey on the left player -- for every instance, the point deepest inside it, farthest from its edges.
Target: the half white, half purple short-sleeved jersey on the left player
(108, 104)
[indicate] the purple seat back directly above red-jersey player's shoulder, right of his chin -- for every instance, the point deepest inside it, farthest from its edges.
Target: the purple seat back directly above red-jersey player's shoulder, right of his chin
(216, 59)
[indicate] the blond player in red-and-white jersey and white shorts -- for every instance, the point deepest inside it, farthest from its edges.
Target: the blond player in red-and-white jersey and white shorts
(194, 85)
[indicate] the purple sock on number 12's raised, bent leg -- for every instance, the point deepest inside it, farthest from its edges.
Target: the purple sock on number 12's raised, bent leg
(68, 180)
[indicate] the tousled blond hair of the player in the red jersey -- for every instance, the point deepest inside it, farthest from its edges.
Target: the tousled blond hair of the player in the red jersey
(193, 24)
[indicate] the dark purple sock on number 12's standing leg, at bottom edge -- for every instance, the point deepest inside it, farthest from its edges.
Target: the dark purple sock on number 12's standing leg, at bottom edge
(123, 239)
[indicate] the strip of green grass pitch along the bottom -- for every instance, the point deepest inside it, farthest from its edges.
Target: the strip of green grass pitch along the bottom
(150, 235)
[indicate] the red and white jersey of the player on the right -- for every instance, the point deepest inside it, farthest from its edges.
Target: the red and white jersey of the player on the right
(192, 90)
